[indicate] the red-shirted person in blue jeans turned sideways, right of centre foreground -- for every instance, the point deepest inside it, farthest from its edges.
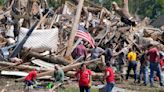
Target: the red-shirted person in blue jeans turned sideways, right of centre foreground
(109, 77)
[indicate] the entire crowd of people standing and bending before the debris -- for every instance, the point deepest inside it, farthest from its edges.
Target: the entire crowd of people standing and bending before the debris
(151, 58)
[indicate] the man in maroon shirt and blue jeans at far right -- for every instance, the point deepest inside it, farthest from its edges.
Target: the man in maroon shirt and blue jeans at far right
(153, 58)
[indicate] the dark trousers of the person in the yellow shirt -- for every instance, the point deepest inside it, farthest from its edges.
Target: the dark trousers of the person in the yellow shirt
(132, 65)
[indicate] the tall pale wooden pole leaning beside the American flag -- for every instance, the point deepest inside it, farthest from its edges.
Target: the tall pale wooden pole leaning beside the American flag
(74, 28)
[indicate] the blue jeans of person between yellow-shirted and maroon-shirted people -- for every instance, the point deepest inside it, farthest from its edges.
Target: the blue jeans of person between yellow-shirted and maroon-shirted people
(144, 71)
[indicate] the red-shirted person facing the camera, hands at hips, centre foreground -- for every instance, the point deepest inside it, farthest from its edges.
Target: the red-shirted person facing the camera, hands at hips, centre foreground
(84, 76)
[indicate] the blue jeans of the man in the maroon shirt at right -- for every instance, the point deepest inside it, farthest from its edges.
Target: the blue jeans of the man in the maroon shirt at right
(154, 66)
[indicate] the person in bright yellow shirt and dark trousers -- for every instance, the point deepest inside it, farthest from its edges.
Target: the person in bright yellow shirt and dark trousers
(132, 57)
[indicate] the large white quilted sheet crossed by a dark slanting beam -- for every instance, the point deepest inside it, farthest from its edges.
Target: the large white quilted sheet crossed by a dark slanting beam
(47, 39)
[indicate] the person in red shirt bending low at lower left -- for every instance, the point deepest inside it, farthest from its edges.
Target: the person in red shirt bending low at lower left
(30, 78)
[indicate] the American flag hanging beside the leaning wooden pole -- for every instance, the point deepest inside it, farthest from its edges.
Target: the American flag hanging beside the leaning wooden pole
(85, 35)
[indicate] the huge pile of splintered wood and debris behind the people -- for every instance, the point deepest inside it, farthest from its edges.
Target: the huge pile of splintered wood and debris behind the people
(33, 35)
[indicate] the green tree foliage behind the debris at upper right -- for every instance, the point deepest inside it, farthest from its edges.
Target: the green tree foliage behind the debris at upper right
(149, 8)
